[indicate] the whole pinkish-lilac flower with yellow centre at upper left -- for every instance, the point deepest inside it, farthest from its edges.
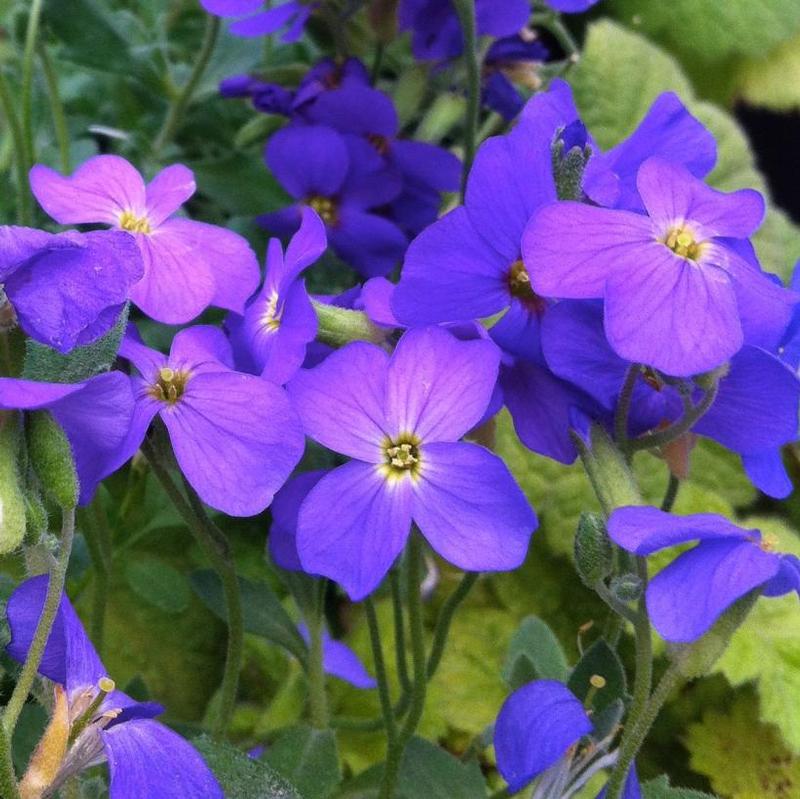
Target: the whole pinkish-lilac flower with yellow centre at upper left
(188, 265)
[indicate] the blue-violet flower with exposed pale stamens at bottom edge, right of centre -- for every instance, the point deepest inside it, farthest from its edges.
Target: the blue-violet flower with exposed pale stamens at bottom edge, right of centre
(538, 733)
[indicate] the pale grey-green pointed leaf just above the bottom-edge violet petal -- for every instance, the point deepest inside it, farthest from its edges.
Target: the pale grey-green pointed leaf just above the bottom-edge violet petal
(534, 653)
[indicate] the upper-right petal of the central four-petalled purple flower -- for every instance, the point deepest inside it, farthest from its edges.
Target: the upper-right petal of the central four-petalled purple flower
(438, 387)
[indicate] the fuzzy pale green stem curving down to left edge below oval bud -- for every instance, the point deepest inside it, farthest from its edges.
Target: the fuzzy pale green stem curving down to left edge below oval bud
(52, 600)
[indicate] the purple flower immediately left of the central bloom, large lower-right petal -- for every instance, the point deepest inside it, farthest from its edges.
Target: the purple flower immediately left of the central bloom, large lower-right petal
(235, 436)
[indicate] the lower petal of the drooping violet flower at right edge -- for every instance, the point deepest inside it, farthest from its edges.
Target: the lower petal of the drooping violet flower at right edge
(688, 596)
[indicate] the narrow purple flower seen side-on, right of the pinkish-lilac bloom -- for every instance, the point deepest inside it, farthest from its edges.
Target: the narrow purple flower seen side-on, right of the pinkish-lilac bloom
(279, 322)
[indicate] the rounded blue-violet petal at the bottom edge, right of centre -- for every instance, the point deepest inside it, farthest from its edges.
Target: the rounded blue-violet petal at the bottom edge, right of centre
(534, 729)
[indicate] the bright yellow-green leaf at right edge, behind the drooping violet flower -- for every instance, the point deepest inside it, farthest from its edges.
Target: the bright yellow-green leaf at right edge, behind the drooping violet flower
(766, 648)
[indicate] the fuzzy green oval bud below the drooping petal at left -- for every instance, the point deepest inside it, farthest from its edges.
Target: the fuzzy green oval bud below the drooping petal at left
(51, 457)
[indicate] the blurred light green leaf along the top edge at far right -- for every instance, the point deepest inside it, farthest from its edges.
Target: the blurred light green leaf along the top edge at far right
(715, 30)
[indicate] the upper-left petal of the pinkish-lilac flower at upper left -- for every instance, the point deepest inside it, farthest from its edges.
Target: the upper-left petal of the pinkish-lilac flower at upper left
(99, 190)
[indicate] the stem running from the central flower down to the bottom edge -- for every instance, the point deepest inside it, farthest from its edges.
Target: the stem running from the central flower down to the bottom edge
(394, 756)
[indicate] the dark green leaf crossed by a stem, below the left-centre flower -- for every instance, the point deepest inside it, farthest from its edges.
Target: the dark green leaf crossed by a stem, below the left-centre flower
(263, 613)
